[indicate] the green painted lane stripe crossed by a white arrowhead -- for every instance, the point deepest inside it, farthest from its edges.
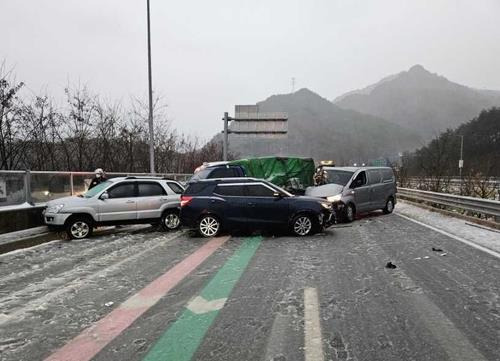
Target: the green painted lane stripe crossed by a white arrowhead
(181, 340)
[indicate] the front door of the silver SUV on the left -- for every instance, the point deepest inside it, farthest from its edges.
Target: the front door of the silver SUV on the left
(121, 204)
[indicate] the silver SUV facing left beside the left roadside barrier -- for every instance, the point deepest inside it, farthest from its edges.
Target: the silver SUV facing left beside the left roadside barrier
(127, 200)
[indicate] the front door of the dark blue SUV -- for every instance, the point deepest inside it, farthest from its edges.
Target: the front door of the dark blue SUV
(264, 208)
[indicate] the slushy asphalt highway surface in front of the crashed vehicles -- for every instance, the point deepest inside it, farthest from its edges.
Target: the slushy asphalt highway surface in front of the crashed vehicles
(169, 296)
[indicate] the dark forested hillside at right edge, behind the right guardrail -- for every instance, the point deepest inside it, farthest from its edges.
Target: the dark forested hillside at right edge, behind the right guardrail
(481, 151)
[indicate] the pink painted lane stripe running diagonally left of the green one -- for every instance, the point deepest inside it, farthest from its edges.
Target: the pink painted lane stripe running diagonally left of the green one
(93, 339)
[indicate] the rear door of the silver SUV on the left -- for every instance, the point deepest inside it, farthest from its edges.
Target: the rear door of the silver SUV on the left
(150, 199)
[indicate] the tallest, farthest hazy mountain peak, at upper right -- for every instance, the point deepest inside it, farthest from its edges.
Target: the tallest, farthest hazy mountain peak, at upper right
(420, 100)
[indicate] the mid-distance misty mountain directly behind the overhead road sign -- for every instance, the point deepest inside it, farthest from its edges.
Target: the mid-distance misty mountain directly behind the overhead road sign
(318, 128)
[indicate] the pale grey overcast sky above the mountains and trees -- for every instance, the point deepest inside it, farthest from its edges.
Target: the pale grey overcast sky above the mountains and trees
(210, 55)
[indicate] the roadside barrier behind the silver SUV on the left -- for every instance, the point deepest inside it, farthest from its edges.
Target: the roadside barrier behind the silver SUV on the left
(28, 188)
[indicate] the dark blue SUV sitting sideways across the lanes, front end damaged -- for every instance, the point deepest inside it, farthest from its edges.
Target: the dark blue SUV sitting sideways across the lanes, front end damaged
(213, 205)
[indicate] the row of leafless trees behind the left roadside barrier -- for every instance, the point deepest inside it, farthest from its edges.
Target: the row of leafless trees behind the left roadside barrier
(87, 132)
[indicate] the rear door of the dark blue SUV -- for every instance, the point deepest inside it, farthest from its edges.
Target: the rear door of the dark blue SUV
(230, 203)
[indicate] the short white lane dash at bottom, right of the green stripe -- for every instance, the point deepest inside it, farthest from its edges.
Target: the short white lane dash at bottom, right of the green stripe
(312, 326)
